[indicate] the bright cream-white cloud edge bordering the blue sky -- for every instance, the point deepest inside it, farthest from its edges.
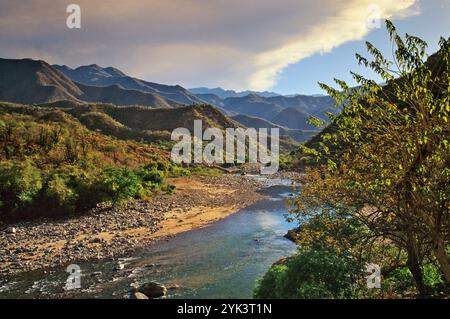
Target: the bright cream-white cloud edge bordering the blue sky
(347, 24)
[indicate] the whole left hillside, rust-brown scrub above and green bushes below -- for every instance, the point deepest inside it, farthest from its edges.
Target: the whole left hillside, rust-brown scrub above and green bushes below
(51, 165)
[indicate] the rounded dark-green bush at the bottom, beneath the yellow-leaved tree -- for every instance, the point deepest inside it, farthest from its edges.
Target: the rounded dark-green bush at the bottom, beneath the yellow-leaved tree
(312, 273)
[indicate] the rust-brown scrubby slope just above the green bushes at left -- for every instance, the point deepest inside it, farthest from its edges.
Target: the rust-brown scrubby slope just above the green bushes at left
(43, 135)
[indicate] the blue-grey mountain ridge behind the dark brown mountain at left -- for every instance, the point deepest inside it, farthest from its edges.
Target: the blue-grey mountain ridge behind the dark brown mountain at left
(95, 75)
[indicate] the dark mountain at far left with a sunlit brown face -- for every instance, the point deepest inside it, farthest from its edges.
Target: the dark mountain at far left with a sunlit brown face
(33, 82)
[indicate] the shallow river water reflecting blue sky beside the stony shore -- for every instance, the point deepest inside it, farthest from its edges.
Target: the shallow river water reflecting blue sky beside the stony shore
(222, 260)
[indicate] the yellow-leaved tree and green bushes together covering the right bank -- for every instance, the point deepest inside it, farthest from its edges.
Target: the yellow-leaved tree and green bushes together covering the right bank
(380, 191)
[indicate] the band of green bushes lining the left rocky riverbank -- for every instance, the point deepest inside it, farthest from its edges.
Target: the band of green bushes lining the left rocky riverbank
(26, 191)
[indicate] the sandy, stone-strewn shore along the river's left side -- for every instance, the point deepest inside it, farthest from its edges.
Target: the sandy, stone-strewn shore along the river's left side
(110, 232)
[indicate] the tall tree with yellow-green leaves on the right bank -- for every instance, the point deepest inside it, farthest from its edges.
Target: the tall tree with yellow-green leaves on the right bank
(386, 158)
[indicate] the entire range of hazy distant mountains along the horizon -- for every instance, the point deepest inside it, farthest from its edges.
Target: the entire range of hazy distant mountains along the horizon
(28, 81)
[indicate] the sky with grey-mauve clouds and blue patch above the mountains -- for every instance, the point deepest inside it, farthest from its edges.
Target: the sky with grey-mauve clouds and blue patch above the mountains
(286, 46)
